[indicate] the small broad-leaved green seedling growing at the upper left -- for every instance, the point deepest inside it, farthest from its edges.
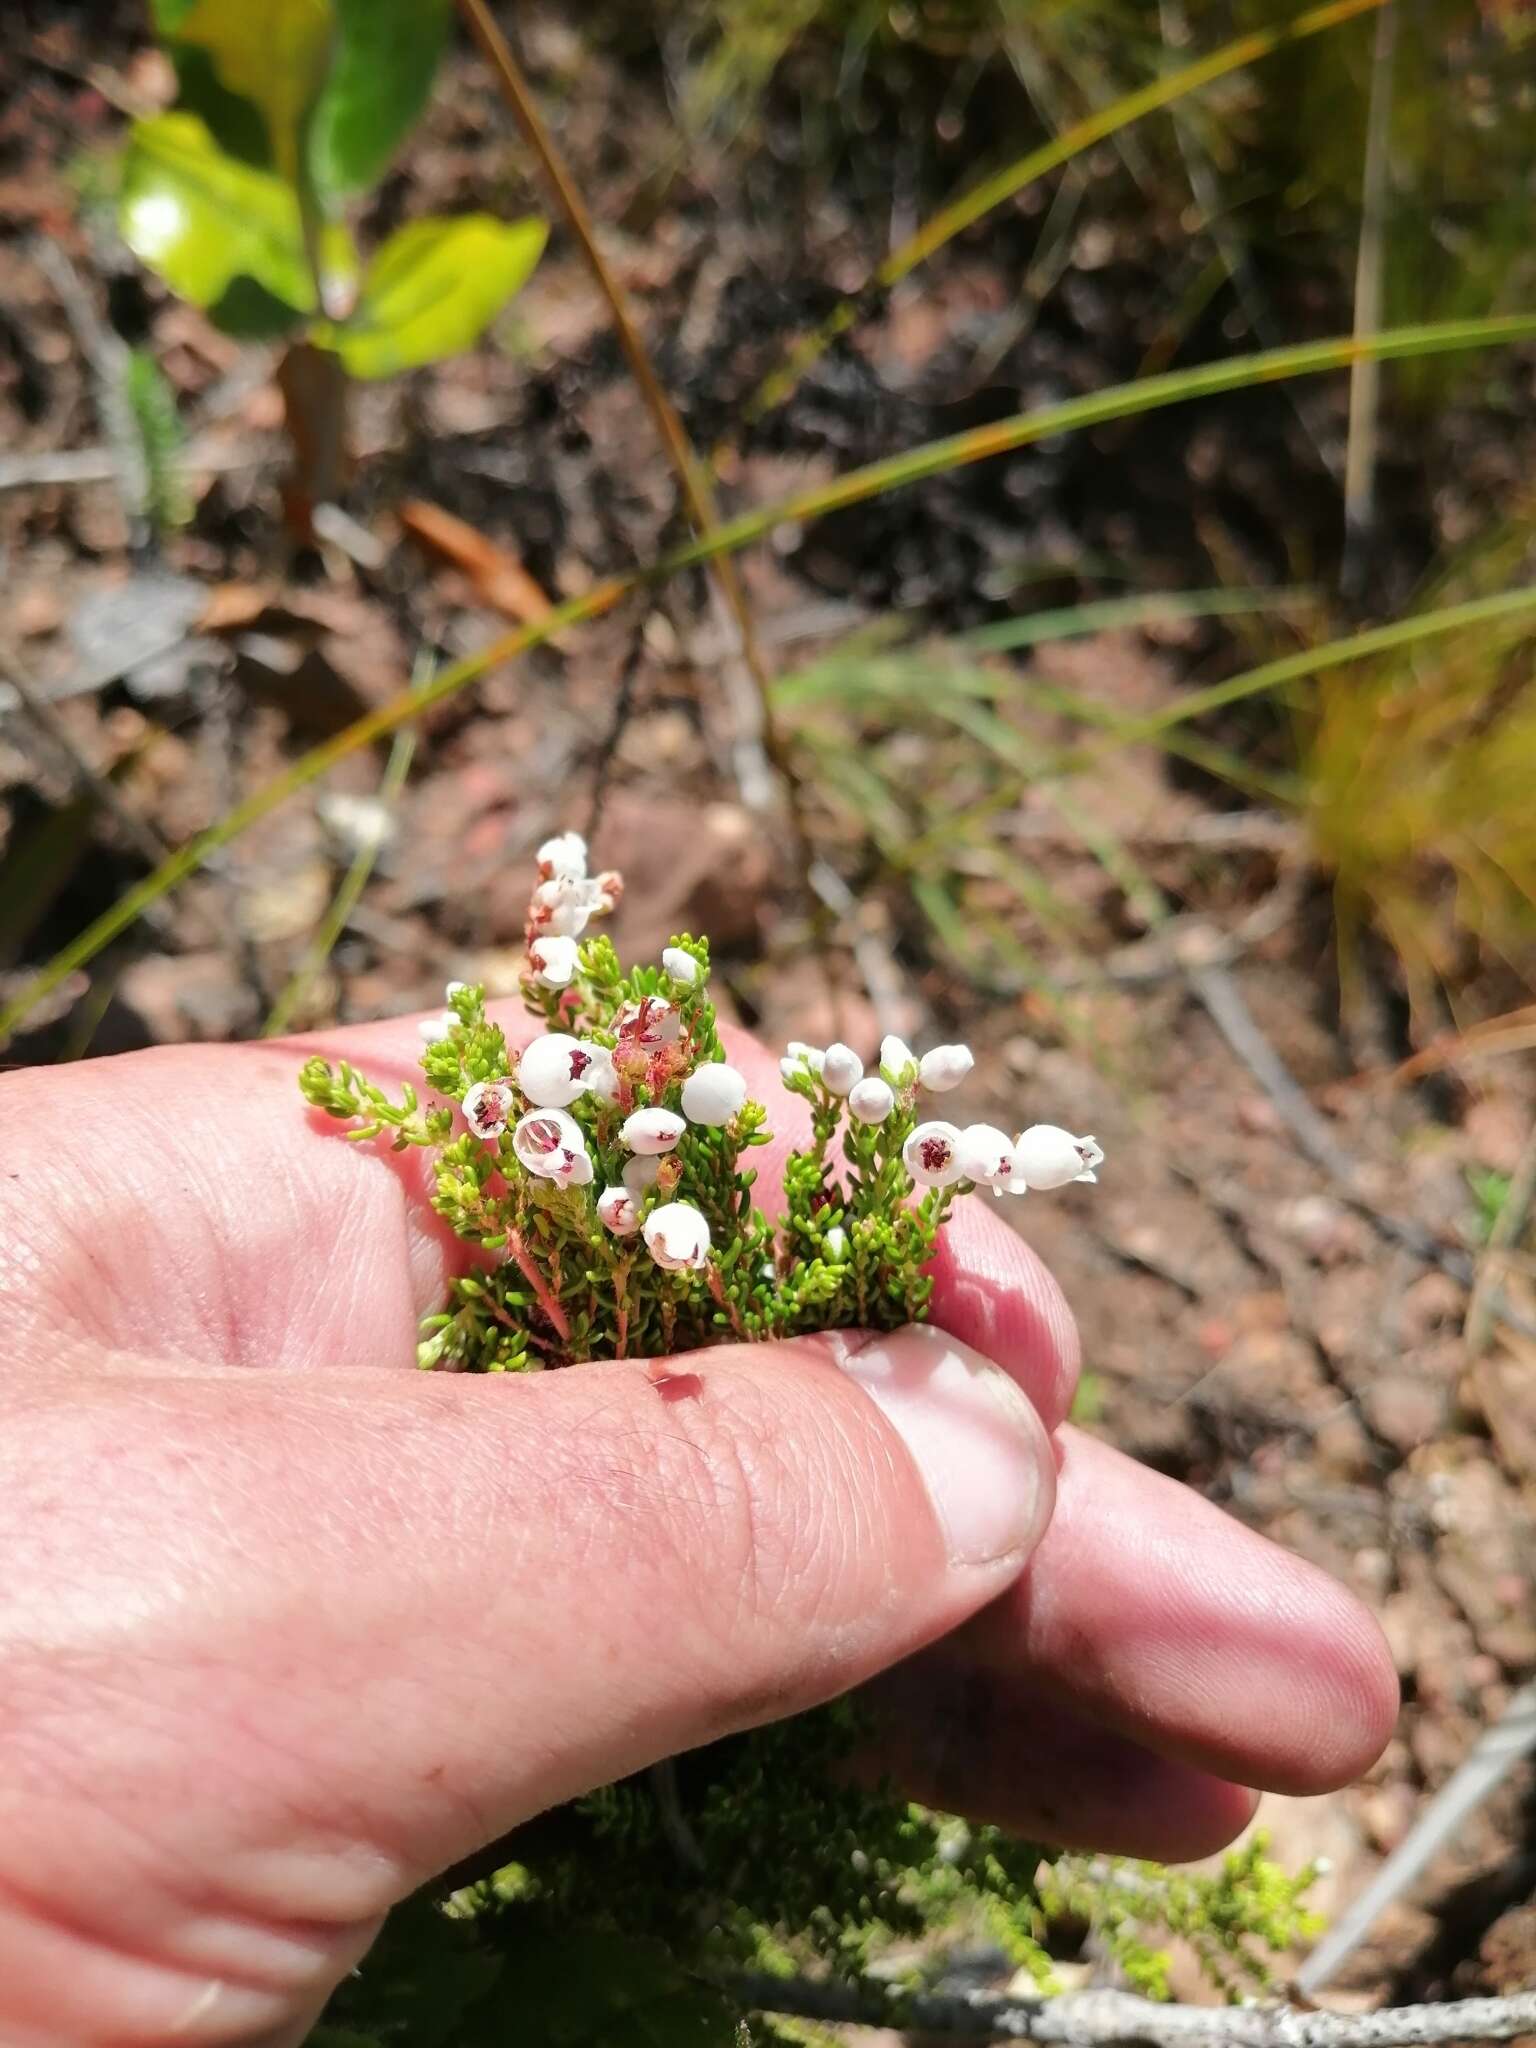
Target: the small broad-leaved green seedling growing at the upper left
(288, 112)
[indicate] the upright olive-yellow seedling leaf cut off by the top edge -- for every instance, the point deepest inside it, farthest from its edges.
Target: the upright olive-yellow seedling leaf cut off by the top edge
(275, 56)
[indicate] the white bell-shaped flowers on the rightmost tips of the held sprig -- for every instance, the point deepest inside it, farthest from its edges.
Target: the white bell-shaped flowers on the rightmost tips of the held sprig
(939, 1154)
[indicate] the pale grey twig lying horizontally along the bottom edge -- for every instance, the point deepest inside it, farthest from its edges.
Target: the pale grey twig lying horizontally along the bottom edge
(1123, 2020)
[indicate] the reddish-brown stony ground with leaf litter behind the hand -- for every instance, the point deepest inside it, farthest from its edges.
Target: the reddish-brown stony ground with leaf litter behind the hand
(1273, 1279)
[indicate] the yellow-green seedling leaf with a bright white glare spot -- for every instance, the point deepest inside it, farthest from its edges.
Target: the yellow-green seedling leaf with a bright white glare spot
(210, 224)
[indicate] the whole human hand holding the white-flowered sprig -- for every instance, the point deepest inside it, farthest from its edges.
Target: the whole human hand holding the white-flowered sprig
(290, 1627)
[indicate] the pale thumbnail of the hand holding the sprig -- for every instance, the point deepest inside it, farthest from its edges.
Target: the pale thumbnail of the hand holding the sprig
(972, 1433)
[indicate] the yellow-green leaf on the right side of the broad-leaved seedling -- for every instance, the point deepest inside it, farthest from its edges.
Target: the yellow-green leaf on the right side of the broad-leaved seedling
(433, 290)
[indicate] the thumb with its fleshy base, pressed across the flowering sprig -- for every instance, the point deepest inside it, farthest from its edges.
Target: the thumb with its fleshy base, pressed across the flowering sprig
(308, 1641)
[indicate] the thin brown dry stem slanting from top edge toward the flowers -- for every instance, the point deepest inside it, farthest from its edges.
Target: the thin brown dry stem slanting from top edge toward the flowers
(693, 478)
